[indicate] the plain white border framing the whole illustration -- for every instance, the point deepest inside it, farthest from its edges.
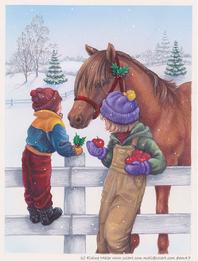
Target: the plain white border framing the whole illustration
(3, 3)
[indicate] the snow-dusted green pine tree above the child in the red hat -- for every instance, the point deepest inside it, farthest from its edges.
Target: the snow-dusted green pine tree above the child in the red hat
(55, 75)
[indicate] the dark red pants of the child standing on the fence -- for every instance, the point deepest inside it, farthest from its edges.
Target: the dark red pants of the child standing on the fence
(36, 171)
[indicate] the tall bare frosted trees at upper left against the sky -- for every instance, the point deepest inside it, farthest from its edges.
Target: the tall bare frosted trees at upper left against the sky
(32, 48)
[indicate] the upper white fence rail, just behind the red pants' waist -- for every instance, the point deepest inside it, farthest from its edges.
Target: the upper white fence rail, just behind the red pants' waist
(94, 177)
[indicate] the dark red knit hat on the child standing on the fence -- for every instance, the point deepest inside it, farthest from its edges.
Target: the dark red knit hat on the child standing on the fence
(45, 99)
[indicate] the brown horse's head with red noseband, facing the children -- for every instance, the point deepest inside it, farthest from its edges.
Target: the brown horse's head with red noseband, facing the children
(92, 84)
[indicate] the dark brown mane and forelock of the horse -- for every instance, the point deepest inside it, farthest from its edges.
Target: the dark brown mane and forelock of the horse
(165, 90)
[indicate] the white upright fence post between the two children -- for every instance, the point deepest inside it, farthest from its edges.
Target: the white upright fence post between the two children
(74, 203)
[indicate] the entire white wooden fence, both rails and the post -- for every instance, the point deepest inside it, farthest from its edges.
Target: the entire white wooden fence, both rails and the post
(75, 224)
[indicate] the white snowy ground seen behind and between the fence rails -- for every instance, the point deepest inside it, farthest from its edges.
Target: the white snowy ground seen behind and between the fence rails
(18, 119)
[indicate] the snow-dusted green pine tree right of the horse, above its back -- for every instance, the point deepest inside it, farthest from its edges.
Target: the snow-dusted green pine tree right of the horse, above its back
(175, 65)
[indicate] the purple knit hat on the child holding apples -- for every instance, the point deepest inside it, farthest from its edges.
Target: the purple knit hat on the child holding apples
(117, 108)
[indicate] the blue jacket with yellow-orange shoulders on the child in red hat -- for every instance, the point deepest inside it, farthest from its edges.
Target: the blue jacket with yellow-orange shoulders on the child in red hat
(47, 134)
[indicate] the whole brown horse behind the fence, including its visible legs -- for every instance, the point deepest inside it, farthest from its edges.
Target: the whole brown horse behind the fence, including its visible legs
(164, 107)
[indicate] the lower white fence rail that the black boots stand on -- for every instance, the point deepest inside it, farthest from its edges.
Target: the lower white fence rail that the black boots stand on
(88, 225)
